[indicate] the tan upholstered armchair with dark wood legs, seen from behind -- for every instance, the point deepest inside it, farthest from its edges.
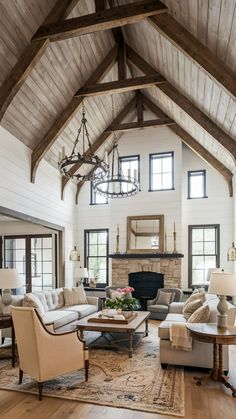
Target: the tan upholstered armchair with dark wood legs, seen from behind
(43, 354)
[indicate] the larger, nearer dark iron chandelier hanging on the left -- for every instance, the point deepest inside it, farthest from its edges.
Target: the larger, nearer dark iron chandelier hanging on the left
(98, 168)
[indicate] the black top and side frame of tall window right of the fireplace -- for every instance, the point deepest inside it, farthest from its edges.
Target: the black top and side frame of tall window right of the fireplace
(190, 230)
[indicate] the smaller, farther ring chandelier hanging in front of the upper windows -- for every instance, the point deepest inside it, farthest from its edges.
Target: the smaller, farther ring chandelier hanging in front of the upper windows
(115, 184)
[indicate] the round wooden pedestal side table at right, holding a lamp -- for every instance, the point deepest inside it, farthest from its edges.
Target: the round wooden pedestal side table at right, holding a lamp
(210, 333)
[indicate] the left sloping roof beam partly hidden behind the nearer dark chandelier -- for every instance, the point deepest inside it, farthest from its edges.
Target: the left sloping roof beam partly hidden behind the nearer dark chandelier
(99, 141)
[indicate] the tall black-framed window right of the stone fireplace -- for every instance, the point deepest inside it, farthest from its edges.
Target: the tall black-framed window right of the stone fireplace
(204, 252)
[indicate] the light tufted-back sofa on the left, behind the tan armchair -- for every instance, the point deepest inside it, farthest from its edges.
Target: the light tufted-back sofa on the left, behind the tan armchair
(54, 309)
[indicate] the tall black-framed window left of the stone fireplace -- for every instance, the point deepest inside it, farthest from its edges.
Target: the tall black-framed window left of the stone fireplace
(96, 255)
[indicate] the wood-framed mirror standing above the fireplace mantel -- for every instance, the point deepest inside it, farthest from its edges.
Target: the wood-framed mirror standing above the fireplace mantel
(145, 234)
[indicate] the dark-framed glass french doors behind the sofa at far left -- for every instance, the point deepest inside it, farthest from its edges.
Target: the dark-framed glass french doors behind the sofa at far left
(34, 256)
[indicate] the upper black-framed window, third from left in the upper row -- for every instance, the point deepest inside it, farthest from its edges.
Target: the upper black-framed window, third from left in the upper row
(161, 171)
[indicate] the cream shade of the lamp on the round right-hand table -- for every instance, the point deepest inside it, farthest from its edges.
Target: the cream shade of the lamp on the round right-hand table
(222, 283)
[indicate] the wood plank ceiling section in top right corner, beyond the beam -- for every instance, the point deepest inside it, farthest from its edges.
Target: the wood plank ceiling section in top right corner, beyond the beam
(213, 23)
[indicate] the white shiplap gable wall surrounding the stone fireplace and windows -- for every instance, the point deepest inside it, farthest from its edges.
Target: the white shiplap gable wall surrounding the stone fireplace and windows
(217, 208)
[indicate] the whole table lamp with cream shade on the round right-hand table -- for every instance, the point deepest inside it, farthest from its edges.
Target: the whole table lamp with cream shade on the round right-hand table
(222, 284)
